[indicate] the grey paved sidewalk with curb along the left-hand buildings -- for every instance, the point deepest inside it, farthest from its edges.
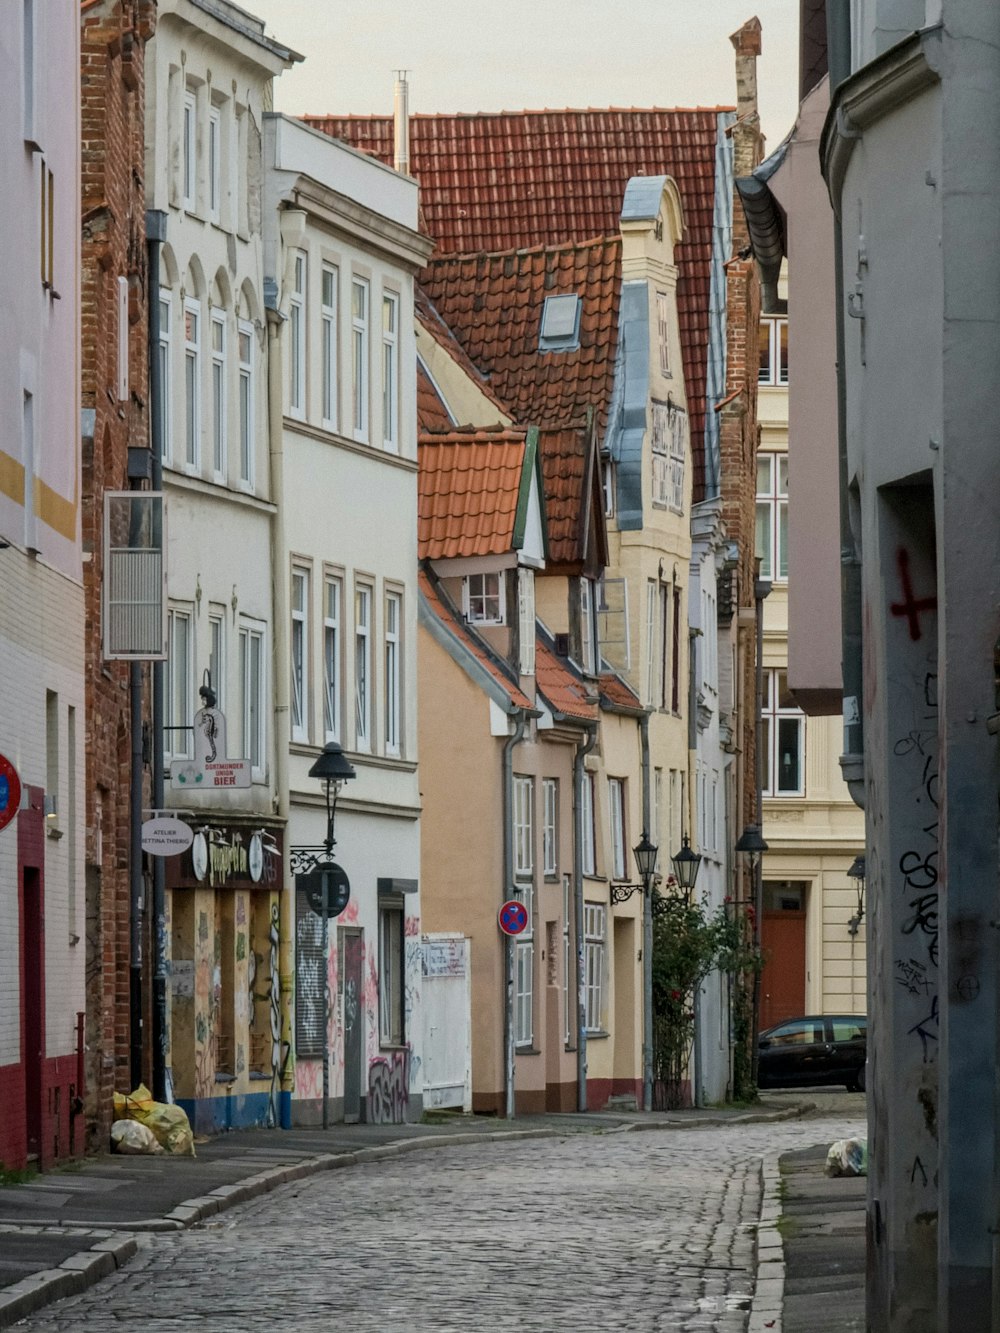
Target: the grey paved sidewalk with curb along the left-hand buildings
(69, 1228)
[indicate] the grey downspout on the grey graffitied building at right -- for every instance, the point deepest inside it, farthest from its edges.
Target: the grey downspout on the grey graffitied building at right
(853, 759)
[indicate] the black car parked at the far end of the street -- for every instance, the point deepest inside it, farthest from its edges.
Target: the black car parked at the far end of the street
(818, 1050)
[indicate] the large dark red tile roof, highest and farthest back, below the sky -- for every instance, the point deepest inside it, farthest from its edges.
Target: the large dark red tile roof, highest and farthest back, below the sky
(491, 182)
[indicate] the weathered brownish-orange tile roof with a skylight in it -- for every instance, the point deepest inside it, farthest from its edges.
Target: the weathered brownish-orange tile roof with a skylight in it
(494, 303)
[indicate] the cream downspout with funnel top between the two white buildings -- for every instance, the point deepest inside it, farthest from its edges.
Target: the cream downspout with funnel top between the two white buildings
(293, 225)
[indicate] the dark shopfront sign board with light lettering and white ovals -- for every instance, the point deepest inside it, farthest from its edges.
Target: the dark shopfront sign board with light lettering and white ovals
(230, 856)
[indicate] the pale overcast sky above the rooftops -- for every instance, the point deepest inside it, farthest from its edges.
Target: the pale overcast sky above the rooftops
(515, 55)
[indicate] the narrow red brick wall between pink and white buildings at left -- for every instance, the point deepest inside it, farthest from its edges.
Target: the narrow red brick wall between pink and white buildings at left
(113, 47)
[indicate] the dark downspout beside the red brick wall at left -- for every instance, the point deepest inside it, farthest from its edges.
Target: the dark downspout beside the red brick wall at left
(157, 235)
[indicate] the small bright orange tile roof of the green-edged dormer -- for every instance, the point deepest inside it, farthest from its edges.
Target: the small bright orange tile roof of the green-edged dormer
(469, 485)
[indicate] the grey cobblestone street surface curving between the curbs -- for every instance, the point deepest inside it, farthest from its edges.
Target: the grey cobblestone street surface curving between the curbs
(641, 1231)
